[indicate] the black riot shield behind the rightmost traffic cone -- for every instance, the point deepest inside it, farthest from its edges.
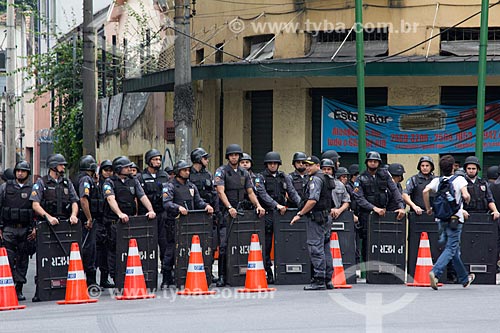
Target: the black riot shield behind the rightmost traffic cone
(416, 225)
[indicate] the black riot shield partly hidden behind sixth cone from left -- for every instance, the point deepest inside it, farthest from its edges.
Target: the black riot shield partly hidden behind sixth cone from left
(344, 227)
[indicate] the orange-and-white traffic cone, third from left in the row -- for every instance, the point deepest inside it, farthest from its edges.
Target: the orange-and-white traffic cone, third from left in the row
(135, 285)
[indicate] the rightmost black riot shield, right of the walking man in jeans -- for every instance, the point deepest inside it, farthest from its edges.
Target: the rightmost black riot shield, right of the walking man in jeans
(479, 247)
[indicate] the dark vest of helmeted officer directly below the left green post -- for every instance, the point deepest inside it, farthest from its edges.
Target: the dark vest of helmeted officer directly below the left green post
(375, 189)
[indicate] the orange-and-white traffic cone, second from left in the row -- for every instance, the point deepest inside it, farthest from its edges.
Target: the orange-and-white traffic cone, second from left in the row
(76, 284)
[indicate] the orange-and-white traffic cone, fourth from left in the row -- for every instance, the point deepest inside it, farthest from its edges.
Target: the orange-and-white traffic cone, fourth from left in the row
(196, 280)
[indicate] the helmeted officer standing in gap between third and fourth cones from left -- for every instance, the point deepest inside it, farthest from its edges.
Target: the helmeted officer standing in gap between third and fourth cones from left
(153, 180)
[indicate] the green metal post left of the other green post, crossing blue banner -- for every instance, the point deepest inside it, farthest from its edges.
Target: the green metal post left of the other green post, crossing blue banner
(360, 74)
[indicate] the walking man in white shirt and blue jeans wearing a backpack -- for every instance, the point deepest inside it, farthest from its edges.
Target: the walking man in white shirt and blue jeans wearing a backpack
(452, 231)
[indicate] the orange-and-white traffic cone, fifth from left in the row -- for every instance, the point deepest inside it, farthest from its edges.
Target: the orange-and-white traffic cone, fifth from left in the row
(256, 276)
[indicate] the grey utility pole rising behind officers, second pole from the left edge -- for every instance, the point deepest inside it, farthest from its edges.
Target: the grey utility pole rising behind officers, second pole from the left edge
(89, 78)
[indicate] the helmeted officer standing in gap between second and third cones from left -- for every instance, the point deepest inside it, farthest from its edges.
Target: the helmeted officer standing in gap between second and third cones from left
(91, 207)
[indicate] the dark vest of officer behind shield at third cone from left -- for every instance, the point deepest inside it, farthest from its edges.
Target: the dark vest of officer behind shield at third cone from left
(124, 195)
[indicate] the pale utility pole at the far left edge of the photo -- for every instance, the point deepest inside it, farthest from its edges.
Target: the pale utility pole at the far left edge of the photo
(10, 113)
